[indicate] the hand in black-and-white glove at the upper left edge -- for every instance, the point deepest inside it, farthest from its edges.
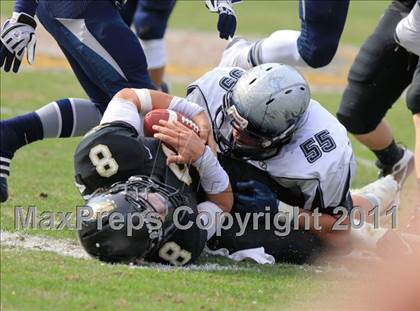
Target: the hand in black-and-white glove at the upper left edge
(17, 35)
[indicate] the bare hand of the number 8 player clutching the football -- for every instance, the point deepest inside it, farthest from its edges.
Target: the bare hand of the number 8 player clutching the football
(185, 141)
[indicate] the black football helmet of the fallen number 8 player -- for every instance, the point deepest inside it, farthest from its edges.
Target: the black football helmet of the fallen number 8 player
(140, 195)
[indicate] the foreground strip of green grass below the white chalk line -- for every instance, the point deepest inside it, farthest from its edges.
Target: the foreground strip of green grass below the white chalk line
(27, 282)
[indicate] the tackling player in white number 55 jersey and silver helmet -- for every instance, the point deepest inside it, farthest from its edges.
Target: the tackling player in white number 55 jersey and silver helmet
(265, 116)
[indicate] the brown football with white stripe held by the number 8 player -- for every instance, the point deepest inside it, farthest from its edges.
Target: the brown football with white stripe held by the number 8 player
(153, 117)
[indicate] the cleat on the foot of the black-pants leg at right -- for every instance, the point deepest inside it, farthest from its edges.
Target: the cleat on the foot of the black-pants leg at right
(400, 170)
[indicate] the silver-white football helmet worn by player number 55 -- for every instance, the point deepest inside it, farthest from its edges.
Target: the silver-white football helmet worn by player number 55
(265, 105)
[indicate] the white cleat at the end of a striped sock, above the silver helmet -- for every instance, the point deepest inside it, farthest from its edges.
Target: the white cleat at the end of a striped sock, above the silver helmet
(233, 54)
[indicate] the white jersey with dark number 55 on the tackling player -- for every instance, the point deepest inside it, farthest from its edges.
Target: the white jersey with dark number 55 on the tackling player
(315, 167)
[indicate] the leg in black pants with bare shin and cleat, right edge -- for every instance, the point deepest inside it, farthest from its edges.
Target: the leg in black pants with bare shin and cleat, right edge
(373, 88)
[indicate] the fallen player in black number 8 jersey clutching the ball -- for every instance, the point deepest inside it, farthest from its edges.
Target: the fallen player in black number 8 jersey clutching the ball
(162, 189)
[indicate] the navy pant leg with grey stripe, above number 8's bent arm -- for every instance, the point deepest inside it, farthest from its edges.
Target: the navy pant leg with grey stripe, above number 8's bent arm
(105, 48)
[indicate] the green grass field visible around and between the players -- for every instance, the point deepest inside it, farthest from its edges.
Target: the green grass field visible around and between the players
(42, 176)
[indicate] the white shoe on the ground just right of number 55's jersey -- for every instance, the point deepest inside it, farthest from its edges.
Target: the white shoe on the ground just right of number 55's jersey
(385, 190)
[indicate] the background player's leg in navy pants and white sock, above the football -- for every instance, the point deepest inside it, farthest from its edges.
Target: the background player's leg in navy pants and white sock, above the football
(150, 21)
